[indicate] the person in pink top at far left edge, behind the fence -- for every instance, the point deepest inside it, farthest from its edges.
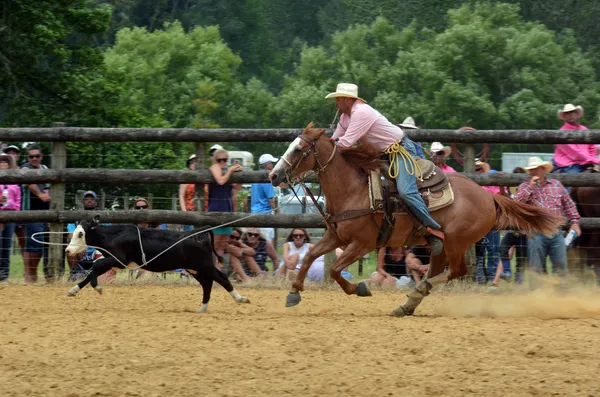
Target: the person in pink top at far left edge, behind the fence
(10, 200)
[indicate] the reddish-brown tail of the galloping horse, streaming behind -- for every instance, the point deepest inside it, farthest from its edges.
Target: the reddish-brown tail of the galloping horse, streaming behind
(514, 215)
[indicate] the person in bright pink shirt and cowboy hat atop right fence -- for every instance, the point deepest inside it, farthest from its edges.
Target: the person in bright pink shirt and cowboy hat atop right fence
(571, 158)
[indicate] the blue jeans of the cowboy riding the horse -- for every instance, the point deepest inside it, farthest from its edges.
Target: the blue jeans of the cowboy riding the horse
(407, 188)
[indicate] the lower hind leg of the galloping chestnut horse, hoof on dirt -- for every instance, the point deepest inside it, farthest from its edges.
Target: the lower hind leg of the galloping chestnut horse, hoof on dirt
(435, 276)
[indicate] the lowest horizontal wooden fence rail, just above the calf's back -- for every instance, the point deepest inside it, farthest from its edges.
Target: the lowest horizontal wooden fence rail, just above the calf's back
(191, 218)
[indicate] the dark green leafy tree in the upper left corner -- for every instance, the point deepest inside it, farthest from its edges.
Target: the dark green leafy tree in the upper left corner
(49, 68)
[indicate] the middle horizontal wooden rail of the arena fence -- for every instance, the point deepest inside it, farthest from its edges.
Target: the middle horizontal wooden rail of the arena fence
(117, 176)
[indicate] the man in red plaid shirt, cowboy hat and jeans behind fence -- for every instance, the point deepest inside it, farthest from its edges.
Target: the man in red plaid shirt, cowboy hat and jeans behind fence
(551, 194)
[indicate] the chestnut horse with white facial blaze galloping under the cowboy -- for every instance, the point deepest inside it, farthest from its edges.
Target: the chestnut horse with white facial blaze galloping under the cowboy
(473, 214)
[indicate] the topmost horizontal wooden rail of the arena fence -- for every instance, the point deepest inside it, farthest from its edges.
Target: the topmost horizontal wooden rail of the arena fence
(79, 134)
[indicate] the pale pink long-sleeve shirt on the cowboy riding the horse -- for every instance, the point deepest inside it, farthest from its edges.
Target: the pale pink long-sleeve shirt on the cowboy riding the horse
(366, 124)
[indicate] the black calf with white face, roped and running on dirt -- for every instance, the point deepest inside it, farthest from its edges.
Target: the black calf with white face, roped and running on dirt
(129, 245)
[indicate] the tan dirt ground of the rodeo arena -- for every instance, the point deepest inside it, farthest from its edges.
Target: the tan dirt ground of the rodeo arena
(146, 340)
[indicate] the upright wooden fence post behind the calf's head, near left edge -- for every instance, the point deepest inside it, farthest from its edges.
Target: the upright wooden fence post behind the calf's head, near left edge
(57, 192)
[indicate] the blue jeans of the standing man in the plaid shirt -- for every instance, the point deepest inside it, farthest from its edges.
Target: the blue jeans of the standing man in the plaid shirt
(540, 246)
